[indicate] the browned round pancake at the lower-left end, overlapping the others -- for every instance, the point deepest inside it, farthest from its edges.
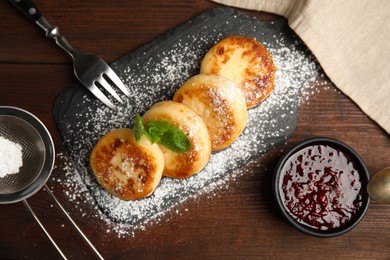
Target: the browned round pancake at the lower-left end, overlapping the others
(128, 170)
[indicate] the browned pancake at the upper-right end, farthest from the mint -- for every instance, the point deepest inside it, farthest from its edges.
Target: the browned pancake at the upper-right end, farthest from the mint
(246, 62)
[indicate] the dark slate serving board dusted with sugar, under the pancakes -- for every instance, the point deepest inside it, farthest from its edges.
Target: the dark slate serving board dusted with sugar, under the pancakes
(153, 73)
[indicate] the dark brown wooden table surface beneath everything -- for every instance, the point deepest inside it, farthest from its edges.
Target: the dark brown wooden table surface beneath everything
(242, 221)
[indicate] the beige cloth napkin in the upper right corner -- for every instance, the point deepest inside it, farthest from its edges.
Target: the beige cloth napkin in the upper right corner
(350, 39)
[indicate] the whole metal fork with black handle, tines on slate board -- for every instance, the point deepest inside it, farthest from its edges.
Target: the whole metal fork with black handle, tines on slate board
(91, 71)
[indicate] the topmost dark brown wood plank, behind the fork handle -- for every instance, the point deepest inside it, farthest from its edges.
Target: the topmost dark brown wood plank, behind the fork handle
(122, 27)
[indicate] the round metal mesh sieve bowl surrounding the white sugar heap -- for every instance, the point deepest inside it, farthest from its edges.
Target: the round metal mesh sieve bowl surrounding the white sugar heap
(38, 154)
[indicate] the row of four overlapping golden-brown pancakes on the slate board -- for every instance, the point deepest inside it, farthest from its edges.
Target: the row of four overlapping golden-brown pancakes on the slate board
(210, 108)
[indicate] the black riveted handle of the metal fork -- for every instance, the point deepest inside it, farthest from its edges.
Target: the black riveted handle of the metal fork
(28, 8)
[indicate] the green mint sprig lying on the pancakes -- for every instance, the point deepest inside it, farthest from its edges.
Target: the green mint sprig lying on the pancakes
(163, 133)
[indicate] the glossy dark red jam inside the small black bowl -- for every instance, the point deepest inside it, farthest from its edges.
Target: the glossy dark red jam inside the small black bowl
(320, 187)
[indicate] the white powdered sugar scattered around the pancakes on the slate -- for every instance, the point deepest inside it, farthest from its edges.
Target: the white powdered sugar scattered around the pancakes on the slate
(155, 76)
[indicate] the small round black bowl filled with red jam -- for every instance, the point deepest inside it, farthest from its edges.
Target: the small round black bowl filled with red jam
(320, 187)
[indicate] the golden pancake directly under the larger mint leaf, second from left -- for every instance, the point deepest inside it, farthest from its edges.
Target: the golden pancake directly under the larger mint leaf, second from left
(182, 165)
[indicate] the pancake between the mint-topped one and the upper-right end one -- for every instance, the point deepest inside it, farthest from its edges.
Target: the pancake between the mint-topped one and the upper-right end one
(220, 103)
